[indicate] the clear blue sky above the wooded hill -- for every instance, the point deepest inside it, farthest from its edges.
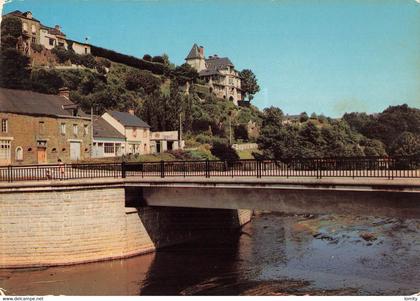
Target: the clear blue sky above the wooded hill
(315, 56)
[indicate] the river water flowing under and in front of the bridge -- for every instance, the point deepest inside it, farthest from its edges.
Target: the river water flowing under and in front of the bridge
(274, 254)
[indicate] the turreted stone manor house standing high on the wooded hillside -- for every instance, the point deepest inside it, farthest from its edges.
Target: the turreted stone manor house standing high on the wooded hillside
(218, 72)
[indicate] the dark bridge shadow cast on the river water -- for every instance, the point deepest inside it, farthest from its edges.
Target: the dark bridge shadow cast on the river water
(180, 270)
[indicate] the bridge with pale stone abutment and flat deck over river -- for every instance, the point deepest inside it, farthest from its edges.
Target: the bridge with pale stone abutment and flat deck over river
(73, 221)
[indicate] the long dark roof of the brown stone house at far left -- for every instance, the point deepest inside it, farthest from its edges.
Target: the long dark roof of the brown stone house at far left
(32, 103)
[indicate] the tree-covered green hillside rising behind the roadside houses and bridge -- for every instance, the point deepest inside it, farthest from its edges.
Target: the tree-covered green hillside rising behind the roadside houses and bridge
(163, 94)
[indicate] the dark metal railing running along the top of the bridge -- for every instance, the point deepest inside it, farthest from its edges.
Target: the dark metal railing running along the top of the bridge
(374, 167)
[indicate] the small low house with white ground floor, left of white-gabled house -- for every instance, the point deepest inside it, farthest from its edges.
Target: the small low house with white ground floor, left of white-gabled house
(107, 141)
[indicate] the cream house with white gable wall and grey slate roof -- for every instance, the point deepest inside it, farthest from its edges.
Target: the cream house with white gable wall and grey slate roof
(135, 131)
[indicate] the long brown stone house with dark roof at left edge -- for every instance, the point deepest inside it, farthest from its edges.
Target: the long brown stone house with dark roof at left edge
(38, 129)
